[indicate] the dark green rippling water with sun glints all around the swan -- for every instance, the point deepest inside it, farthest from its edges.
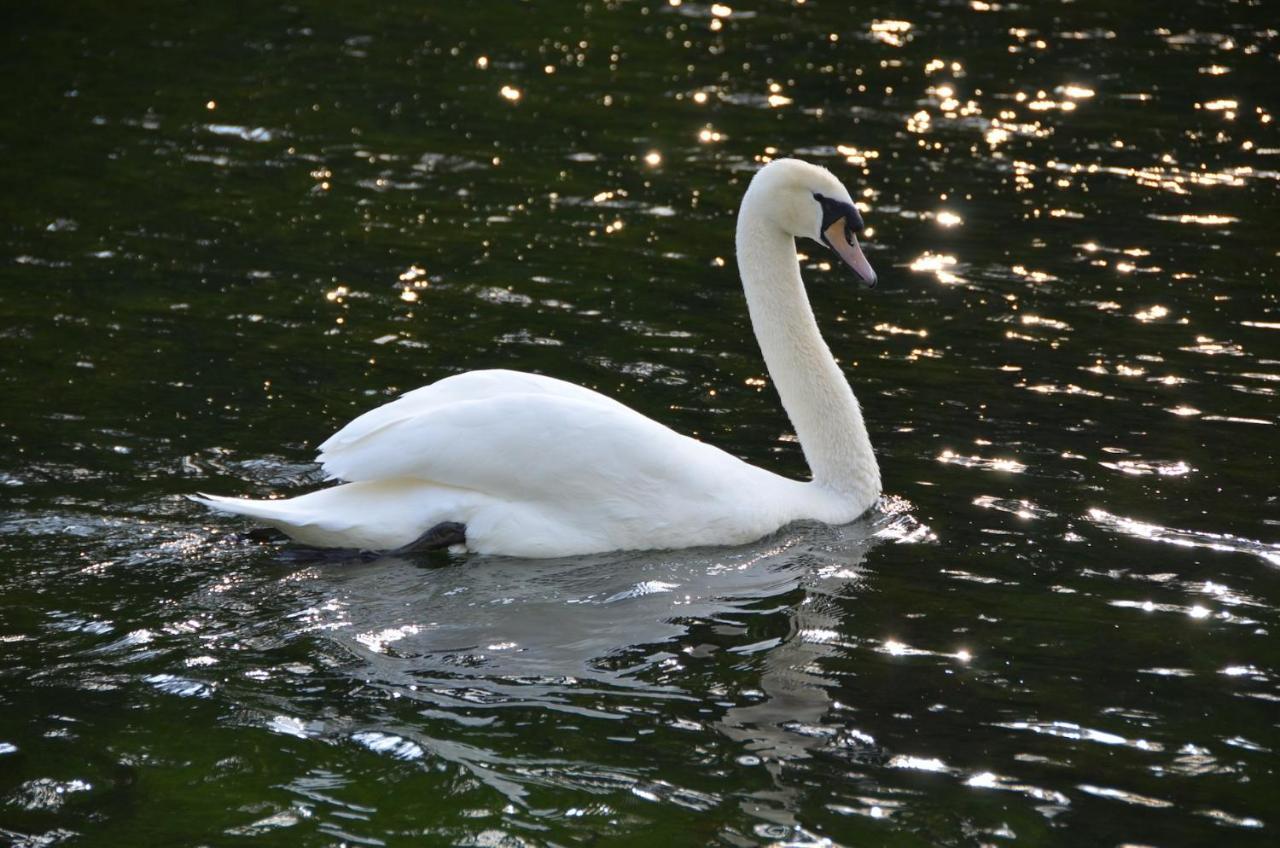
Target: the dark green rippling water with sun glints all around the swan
(230, 229)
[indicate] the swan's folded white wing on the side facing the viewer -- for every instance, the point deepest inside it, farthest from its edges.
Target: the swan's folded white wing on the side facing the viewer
(550, 446)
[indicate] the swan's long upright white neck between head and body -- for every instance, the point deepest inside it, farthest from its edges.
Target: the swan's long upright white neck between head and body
(815, 393)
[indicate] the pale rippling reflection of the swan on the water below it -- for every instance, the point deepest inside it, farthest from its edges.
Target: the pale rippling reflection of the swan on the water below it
(588, 644)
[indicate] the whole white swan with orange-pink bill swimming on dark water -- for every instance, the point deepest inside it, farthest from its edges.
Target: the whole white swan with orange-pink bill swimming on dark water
(508, 463)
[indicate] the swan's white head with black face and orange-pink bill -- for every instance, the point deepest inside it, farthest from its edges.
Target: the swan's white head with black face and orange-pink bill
(807, 202)
